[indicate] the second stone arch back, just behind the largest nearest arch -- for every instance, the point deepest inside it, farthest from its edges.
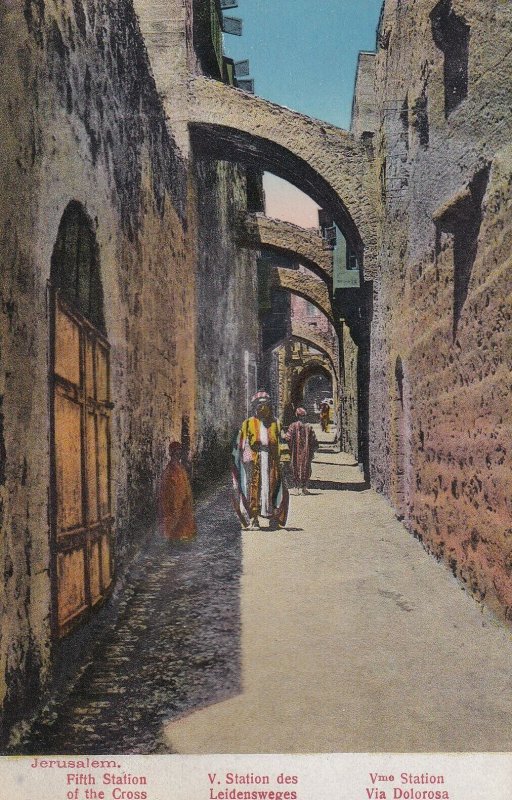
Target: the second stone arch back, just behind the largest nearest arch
(307, 246)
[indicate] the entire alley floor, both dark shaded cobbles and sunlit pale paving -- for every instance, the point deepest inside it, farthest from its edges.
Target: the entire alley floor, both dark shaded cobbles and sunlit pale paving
(339, 633)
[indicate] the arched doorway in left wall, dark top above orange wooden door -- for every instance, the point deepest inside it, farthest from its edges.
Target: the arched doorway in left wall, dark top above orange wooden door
(82, 566)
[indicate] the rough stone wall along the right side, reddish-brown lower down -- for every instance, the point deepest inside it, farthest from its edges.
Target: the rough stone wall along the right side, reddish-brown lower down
(440, 420)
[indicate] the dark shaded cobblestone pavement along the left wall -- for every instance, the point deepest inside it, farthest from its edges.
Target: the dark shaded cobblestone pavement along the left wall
(173, 645)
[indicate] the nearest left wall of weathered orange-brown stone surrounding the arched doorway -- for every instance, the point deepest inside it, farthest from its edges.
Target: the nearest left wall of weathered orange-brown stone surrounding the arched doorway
(81, 121)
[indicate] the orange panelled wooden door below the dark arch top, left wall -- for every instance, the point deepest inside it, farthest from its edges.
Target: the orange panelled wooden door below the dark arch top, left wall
(83, 563)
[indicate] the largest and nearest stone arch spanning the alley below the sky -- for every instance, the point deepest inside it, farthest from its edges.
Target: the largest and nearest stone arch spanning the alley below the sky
(331, 165)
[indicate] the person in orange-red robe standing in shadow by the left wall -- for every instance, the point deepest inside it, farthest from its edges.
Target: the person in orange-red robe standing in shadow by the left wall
(175, 502)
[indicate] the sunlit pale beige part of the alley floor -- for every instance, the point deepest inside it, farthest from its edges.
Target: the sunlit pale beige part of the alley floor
(355, 639)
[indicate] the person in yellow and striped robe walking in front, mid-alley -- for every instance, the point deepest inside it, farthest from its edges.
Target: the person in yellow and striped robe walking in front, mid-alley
(257, 475)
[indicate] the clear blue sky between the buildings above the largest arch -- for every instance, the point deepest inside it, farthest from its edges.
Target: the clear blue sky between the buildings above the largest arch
(303, 53)
